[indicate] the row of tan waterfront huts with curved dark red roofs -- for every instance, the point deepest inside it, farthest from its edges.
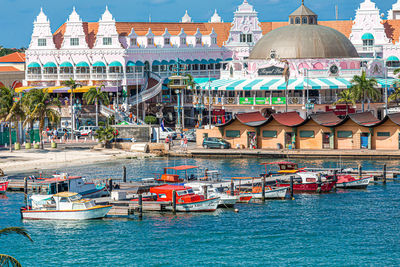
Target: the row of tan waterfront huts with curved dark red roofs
(317, 131)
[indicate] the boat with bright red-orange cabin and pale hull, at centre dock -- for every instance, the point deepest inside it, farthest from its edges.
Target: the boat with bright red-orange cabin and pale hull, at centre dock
(186, 199)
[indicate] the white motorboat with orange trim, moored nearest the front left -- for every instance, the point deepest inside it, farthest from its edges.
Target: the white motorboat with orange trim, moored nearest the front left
(63, 206)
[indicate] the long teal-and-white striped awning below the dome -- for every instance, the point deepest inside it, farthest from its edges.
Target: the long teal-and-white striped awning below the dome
(277, 83)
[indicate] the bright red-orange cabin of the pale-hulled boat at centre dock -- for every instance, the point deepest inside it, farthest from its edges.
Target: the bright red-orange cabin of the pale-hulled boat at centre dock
(184, 194)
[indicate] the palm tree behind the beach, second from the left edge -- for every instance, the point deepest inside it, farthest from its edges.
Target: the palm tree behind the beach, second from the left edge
(43, 107)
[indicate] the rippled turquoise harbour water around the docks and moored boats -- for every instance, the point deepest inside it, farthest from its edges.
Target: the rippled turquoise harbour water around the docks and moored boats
(347, 228)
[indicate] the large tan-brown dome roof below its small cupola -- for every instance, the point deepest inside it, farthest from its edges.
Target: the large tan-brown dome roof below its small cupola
(303, 42)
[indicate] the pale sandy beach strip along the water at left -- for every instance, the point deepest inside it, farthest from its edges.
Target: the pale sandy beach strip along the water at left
(23, 161)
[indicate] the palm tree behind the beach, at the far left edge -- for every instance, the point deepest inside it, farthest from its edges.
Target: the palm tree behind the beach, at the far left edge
(10, 111)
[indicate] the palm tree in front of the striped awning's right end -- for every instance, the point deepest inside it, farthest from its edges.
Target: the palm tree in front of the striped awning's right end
(364, 88)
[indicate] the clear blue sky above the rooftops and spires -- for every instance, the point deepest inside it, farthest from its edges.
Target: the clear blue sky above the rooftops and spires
(17, 16)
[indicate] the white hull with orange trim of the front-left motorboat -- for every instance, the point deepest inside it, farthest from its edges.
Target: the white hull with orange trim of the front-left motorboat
(88, 214)
